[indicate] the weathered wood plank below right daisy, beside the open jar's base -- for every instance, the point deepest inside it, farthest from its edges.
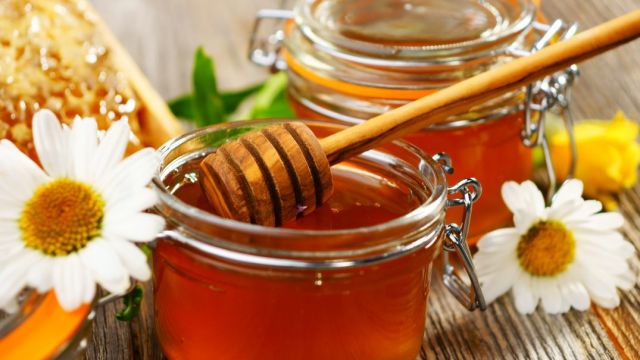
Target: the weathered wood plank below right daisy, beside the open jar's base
(500, 332)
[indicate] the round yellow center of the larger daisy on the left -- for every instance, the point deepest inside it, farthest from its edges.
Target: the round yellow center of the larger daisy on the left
(61, 217)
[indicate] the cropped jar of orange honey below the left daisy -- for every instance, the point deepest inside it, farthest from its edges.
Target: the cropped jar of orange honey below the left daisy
(41, 329)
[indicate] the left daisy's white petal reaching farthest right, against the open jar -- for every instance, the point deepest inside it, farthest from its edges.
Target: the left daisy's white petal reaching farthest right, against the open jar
(137, 227)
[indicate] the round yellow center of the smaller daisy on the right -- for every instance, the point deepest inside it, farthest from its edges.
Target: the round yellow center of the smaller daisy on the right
(546, 249)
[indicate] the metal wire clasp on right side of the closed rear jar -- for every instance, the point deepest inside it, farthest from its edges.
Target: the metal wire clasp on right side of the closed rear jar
(551, 93)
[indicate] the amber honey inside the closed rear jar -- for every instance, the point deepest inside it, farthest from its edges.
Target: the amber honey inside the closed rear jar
(490, 151)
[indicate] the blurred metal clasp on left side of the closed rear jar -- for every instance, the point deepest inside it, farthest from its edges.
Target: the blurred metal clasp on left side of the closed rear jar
(264, 48)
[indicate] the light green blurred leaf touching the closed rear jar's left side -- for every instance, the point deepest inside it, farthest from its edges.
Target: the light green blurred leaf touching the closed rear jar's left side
(271, 100)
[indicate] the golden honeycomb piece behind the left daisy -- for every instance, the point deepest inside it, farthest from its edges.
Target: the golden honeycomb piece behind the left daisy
(52, 56)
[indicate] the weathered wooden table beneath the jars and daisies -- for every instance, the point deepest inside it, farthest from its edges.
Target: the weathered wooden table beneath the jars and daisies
(162, 35)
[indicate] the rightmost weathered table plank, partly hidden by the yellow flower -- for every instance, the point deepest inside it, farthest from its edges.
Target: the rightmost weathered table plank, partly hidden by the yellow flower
(608, 83)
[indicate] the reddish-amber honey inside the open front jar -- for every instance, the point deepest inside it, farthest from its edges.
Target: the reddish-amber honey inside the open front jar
(211, 309)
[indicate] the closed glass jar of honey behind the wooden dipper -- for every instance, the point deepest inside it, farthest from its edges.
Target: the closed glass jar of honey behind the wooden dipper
(351, 60)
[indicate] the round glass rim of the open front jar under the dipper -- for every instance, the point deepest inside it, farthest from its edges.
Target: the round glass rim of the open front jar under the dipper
(435, 202)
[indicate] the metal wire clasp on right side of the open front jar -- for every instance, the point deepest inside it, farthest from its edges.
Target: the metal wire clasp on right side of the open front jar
(456, 241)
